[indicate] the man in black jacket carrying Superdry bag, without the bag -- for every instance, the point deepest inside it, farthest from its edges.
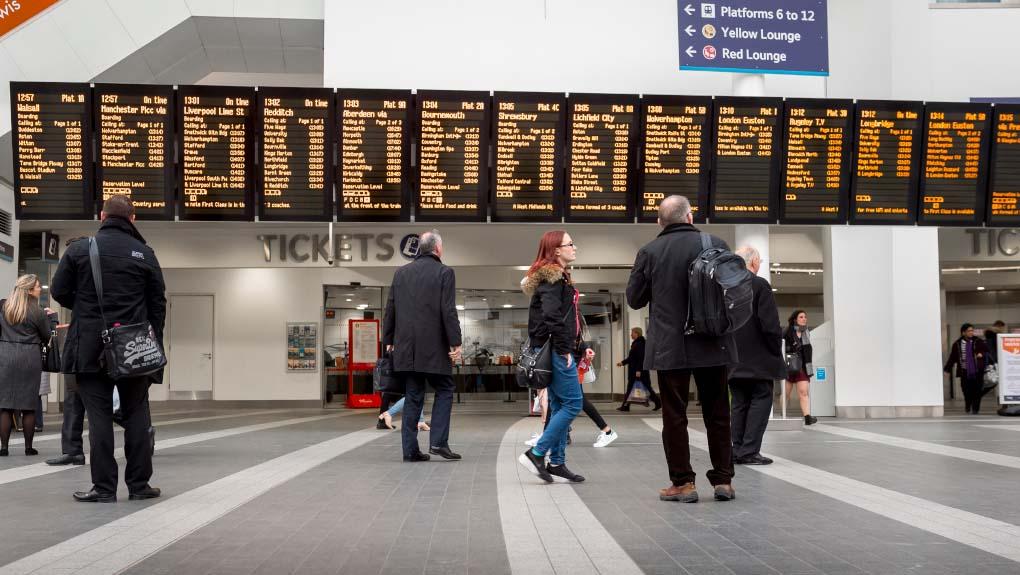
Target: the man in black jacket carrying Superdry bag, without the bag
(133, 293)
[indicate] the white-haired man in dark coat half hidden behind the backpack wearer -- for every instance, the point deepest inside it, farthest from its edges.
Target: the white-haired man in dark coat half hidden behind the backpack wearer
(759, 344)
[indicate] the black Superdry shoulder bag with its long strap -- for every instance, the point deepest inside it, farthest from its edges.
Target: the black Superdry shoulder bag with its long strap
(129, 351)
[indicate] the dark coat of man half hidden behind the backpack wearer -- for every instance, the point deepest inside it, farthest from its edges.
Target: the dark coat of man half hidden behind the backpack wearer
(759, 342)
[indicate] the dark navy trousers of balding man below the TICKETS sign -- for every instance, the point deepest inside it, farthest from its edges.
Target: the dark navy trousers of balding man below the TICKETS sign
(415, 398)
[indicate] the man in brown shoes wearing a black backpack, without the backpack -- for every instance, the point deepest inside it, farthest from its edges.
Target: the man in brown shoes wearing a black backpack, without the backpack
(659, 279)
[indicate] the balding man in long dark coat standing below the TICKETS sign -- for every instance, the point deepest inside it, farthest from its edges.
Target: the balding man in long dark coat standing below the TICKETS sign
(423, 333)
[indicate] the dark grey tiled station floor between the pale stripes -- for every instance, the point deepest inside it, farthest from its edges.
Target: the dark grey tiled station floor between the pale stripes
(367, 512)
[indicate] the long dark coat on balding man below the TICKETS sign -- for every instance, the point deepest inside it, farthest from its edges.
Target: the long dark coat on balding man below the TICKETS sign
(421, 320)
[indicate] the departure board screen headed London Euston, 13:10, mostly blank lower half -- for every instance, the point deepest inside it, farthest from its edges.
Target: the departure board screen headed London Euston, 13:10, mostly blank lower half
(746, 160)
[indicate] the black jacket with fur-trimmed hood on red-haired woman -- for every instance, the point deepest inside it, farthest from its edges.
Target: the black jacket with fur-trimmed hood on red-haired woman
(552, 312)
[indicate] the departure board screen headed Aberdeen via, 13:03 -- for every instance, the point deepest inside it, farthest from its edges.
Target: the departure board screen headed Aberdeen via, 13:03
(374, 128)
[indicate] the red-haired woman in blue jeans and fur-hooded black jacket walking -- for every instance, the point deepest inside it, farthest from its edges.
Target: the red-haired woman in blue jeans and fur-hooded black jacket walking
(553, 318)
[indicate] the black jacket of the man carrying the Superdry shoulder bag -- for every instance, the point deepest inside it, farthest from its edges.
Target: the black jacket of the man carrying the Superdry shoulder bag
(133, 292)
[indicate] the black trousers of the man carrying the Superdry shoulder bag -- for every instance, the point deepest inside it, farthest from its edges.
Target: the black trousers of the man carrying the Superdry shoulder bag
(97, 395)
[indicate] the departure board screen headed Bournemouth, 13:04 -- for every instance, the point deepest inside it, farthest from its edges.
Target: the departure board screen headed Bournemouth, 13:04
(453, 156)
